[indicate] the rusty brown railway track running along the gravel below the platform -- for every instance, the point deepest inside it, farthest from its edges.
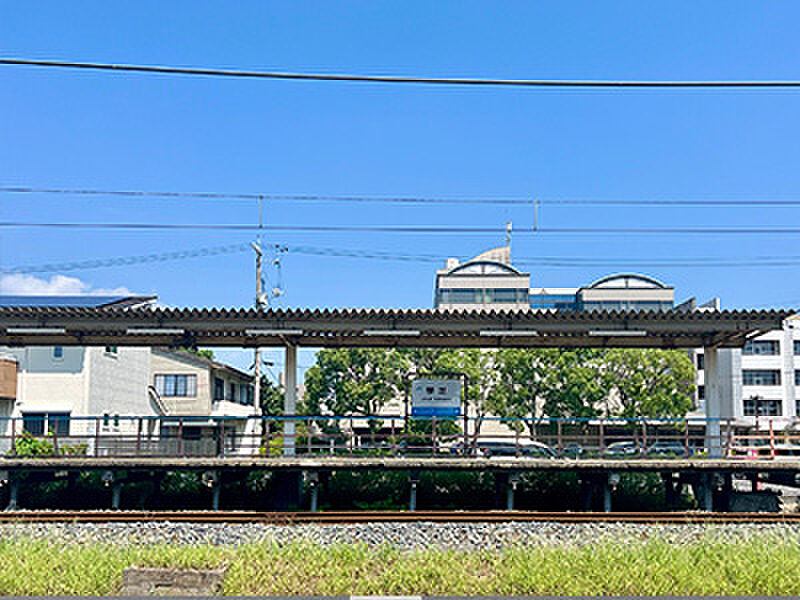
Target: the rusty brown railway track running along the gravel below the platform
(350, 517)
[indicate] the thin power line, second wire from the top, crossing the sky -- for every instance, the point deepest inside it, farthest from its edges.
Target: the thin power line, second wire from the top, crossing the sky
(399, 199)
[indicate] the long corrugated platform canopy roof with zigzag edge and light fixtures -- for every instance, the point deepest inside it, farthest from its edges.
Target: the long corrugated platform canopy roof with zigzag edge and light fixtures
(87, 326)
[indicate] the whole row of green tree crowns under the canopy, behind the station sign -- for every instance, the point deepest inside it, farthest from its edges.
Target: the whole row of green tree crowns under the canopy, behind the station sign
(529, 384)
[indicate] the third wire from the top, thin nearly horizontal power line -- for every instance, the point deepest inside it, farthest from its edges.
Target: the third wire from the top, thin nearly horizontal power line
(411, 229)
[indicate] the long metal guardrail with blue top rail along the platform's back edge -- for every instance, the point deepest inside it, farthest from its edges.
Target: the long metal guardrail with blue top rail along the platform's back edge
(321, 435)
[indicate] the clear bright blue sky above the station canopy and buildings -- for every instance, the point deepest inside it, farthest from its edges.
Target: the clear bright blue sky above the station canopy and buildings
(127, 131)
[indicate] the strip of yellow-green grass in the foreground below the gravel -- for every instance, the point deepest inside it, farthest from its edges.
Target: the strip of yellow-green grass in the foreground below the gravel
(768, 566)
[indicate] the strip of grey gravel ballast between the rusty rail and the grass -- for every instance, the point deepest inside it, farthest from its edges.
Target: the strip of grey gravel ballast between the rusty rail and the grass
(405, 536)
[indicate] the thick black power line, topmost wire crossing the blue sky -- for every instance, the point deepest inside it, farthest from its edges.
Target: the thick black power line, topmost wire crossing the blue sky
(338, 77)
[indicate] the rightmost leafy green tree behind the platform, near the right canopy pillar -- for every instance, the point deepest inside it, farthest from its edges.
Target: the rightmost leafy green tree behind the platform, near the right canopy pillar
(649, 383)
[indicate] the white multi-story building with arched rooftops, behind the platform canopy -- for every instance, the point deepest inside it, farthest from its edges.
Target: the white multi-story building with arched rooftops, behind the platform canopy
(760, 384)
